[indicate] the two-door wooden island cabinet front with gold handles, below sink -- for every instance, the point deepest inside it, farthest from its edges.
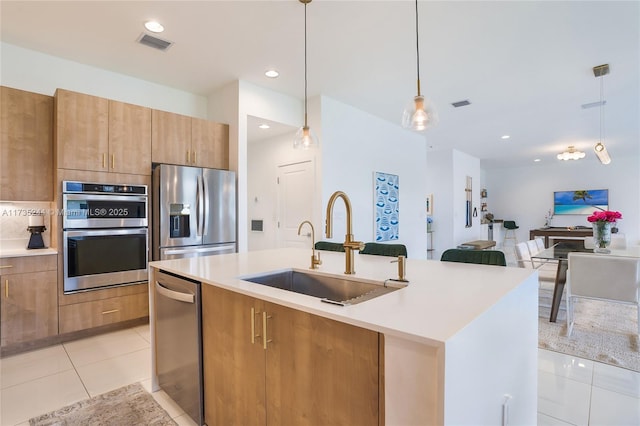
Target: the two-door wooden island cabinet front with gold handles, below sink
(266, 364)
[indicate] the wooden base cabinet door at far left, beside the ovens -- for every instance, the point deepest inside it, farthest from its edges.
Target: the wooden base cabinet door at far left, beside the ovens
(29, 307)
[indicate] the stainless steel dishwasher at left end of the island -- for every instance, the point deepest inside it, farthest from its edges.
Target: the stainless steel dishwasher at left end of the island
(178, 316)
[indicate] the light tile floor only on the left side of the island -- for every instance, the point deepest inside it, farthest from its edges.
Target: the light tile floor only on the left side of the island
(44, 380)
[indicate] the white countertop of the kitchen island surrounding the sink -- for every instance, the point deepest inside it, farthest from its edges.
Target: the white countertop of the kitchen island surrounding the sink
(441, 299)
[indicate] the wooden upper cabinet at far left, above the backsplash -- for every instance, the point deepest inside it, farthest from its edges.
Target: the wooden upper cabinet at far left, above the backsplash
(26, 146)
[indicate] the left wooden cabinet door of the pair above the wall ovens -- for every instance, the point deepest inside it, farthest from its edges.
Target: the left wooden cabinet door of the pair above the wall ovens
(82, 131)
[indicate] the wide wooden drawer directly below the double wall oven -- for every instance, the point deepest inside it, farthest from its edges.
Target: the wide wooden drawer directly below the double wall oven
(81, 316)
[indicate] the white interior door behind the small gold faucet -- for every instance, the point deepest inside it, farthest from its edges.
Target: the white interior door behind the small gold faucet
(296, 188)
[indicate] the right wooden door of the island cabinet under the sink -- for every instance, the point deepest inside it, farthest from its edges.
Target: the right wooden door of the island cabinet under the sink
(320, 371)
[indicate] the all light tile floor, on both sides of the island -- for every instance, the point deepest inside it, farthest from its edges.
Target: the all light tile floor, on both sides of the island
(571, 390)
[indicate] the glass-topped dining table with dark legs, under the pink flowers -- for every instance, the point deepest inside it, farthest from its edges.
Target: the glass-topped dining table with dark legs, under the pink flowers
(560, 253)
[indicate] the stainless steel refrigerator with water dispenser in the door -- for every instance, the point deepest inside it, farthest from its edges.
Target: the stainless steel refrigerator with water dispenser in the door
(194, 212)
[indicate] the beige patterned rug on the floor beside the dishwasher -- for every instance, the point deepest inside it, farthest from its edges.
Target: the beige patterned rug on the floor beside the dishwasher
(129, 405)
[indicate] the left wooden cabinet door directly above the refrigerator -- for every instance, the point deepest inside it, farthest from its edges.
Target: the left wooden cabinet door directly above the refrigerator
(170, 138)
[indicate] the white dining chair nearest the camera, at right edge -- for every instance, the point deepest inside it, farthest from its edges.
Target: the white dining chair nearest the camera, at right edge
(602, 277)
